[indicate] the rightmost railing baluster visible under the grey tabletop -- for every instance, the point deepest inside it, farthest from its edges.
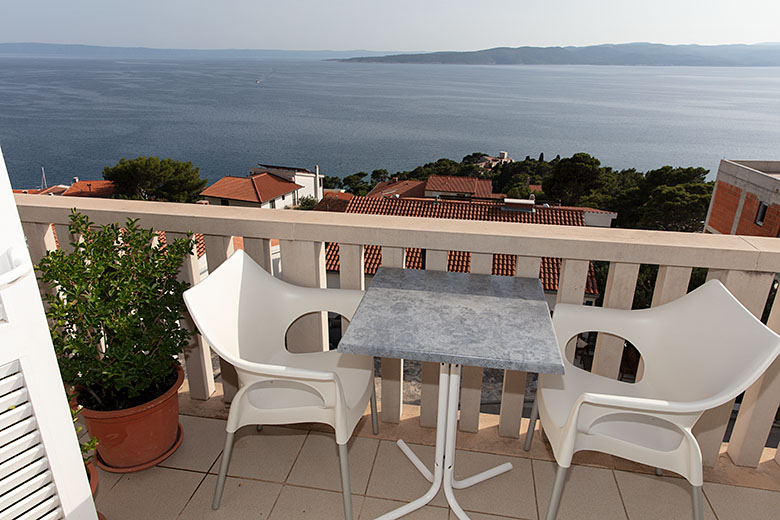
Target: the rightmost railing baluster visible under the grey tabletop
(513, 388)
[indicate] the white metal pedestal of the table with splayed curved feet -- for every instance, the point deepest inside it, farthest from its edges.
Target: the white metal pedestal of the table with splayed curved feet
(444, 459)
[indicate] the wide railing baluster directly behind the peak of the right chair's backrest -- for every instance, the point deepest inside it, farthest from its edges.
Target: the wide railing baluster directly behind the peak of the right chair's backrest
(751, 289)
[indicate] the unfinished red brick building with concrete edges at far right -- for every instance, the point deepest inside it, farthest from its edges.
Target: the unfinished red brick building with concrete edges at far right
(746, 199)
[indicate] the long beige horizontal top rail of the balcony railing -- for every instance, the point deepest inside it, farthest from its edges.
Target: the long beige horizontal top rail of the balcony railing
(586, 243)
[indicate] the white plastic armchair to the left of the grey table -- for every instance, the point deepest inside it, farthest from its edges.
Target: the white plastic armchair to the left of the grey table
(244, 313)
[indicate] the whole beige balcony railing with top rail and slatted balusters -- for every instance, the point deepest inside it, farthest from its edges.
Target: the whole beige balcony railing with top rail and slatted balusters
(746, 266)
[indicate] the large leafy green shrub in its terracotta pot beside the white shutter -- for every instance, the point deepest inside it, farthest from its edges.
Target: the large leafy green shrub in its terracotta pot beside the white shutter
(114, 313)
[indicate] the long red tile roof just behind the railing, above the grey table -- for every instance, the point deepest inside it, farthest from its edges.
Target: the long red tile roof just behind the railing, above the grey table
(459, 261)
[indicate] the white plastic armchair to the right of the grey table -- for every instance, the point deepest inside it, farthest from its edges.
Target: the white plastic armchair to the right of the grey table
(699, 352)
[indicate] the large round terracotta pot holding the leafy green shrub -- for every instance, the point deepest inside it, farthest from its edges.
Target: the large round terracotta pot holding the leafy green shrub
(139, 437)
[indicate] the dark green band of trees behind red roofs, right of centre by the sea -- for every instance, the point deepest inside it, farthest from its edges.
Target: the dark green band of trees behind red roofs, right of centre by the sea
(667, 198)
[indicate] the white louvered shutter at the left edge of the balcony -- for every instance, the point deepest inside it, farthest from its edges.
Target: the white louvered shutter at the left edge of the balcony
(42, 474)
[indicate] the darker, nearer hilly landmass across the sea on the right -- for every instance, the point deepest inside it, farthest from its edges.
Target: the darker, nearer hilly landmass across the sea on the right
(759, 55)
